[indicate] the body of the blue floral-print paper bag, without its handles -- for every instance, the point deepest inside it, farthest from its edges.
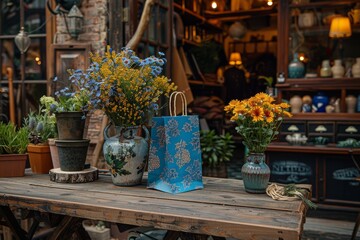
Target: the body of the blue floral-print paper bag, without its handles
(175, 163)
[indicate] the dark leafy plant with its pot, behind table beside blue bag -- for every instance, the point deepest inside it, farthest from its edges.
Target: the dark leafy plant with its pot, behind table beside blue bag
(215, 151)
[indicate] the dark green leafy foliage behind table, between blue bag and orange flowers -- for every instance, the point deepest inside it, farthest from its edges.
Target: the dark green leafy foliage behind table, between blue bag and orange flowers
(216, 148)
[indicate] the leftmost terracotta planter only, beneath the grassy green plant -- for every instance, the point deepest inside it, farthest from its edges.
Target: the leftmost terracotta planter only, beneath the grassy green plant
(12, 165)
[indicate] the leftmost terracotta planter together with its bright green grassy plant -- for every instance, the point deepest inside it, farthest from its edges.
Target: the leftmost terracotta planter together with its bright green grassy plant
(13, 143)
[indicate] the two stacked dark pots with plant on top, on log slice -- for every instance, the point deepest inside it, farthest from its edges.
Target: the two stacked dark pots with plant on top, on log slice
(70, 107)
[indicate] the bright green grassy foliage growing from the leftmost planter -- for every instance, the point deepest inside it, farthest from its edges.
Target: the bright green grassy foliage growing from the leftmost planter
(13, 140)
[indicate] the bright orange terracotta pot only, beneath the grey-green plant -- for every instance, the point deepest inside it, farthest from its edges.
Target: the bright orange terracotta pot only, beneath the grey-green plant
(40, 158)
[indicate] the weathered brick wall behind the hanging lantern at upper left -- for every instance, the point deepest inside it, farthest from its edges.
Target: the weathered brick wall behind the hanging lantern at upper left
(94, 26)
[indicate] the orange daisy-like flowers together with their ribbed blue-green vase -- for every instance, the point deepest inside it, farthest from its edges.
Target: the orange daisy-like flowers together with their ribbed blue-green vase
(258, 120)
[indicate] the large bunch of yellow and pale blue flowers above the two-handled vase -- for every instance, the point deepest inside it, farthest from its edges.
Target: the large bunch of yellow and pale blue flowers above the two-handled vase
(125, 87)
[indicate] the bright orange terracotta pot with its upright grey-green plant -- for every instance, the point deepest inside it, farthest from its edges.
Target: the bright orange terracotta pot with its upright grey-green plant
(41, 126)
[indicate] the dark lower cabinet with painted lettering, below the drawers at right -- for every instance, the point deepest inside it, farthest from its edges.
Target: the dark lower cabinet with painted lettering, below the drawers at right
(332, 171)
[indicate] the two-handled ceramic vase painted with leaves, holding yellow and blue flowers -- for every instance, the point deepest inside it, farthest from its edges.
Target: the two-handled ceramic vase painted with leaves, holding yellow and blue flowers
(126, 154)
